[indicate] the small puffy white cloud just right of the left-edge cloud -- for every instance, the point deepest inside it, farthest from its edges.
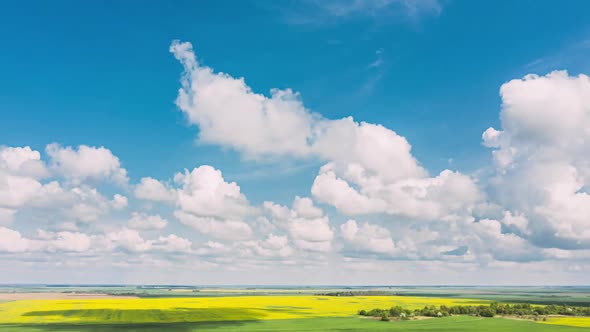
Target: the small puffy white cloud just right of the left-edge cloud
(86, 162)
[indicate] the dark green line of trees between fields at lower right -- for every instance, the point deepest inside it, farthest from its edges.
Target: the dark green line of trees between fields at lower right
(491, 310)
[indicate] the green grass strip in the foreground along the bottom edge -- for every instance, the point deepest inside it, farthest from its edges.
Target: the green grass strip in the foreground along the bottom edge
(450, 324)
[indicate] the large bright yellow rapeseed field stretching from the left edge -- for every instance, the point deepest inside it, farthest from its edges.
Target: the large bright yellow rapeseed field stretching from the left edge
(163, 310)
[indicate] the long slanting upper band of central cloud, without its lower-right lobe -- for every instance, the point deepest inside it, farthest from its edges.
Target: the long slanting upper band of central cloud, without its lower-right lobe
(229, 113)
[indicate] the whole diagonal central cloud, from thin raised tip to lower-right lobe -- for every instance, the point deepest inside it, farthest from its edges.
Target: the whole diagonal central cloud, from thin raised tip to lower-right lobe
(364, 155)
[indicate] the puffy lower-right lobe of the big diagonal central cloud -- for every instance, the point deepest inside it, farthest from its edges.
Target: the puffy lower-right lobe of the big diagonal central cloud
(422, 198)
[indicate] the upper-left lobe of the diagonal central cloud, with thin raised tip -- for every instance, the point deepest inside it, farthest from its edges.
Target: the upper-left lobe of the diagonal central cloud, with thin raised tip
(229, 113)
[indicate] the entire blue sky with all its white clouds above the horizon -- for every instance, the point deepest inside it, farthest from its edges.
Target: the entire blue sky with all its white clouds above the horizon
(379, 142)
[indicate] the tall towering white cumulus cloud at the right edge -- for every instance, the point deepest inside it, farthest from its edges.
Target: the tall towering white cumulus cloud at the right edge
(541, 156)
